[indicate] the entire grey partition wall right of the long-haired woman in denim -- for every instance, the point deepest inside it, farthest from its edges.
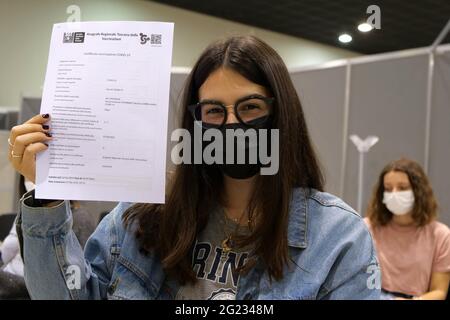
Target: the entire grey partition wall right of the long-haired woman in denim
(386, 97)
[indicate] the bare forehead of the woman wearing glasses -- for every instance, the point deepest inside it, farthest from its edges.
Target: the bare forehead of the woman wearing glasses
(227, 85)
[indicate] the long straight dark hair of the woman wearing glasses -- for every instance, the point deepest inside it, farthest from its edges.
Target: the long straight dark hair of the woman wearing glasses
(171, 229)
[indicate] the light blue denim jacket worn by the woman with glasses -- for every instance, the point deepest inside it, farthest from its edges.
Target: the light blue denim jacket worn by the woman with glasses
(331, 251)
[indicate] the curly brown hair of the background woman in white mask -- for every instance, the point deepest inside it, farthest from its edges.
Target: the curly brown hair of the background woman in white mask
(425, 204)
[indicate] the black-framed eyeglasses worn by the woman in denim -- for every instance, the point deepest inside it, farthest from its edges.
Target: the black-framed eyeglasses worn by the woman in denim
(247, 110)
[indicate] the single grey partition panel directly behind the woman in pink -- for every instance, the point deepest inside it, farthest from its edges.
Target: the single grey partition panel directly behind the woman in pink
(387, 99)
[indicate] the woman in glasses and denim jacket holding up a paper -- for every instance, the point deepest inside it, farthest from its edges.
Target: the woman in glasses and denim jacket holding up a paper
(225, 232)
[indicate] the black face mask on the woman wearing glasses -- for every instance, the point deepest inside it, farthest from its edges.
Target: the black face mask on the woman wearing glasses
(243, 170)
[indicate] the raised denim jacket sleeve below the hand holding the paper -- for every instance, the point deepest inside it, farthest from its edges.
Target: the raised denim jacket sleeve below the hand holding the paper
(55, 265)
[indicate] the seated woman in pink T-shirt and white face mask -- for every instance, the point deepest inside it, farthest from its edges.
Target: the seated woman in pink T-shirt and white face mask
(413, 248)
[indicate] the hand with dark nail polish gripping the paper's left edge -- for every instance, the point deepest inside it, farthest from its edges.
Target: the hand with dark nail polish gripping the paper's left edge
(25, 141)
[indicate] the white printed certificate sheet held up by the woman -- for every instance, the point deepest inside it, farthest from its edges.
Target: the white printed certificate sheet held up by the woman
(107, 91)
